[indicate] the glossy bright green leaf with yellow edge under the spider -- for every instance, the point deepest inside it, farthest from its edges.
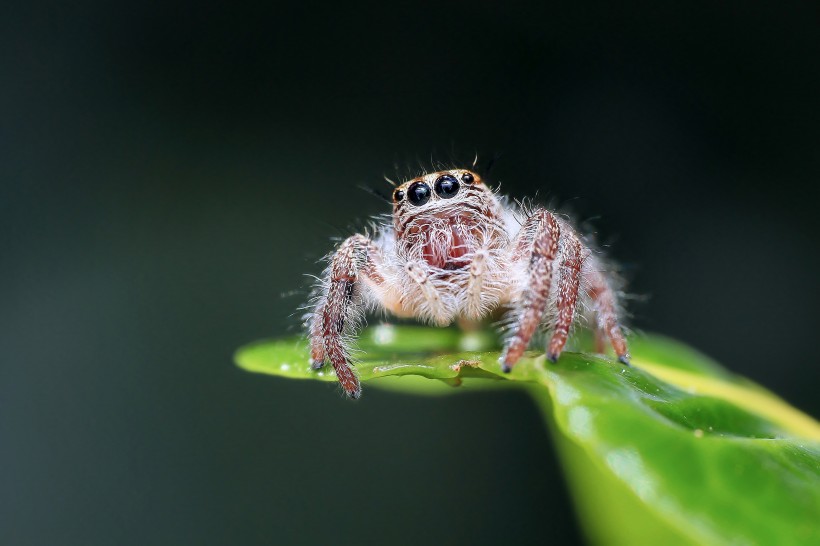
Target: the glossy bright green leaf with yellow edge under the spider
(673, 450)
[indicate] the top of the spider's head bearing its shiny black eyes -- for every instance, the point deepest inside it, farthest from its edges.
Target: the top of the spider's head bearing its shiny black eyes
(442, 195)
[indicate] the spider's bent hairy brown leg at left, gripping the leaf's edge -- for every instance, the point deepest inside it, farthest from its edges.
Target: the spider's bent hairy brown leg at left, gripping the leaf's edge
(358, 259)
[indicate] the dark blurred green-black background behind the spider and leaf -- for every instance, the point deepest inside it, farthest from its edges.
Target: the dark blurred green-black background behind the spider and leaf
(170, 171)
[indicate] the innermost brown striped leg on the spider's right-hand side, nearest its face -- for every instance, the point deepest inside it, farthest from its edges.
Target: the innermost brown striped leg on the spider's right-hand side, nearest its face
(535, 294)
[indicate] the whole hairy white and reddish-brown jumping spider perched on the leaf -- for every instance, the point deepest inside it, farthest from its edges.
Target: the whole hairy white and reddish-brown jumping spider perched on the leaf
(455, 250)
